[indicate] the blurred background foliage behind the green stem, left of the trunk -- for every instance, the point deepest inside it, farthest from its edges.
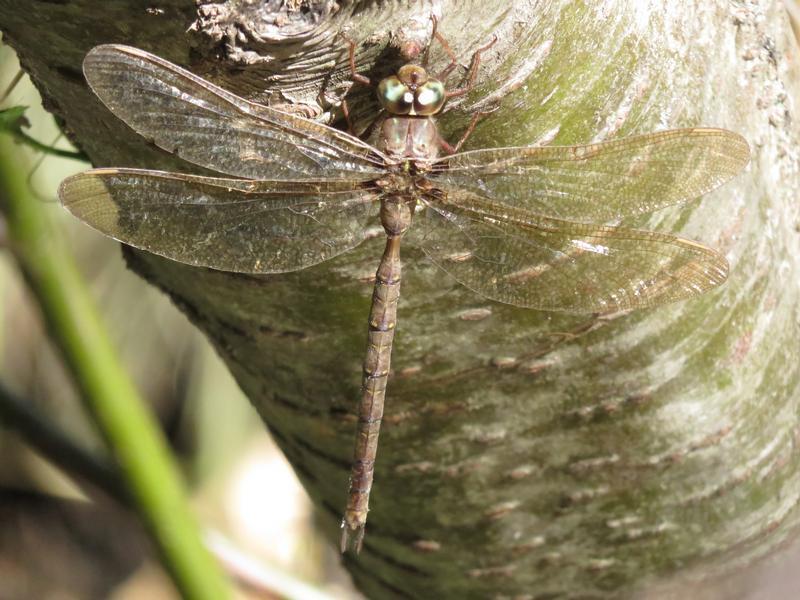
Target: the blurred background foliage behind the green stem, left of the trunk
(255, 515)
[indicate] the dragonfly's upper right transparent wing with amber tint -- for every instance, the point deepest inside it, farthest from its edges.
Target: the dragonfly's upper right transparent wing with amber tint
(600, 182)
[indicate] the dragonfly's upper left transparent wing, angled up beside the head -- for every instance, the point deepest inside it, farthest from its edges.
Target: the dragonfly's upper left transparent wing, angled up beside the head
(208, 126)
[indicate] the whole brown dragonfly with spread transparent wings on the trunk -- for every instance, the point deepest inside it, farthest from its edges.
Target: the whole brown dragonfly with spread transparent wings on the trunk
(534, 226)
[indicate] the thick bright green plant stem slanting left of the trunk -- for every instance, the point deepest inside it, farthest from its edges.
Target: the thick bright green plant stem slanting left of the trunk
(132, 434)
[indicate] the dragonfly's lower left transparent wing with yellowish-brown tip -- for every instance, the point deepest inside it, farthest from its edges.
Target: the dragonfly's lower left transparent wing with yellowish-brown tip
(227, 224)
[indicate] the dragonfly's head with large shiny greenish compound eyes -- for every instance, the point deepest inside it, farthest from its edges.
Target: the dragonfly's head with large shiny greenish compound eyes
(411, 92)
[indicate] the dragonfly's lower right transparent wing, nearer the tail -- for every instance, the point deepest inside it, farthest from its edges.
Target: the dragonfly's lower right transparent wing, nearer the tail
(513, 257)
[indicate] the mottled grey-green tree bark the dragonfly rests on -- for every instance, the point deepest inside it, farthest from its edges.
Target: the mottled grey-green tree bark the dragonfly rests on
(524, 454)
